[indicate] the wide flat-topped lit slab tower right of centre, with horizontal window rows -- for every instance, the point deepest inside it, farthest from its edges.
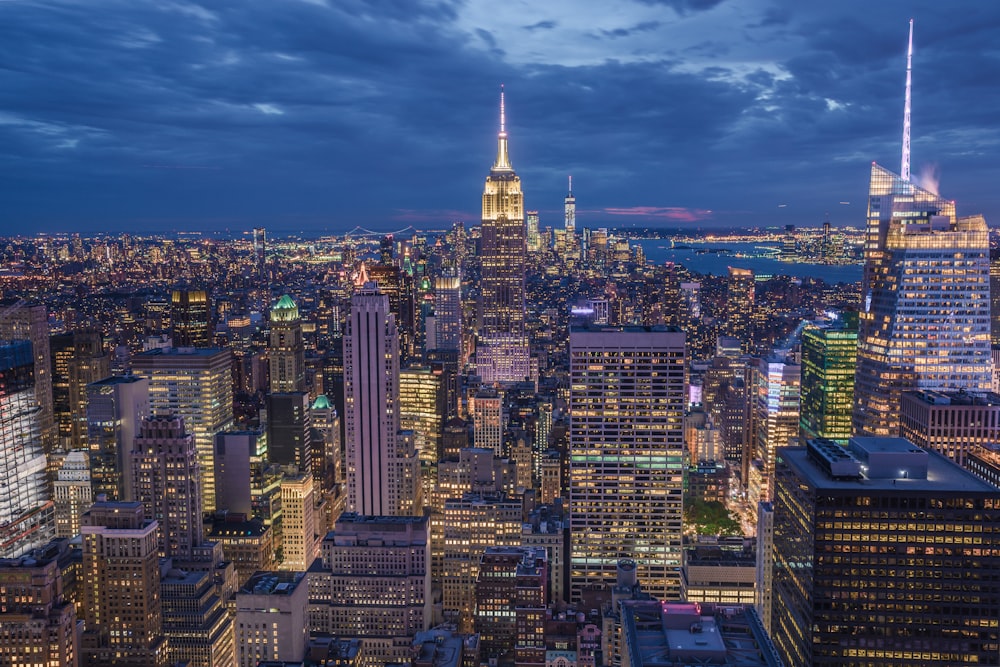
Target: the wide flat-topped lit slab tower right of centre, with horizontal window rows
(627, 397)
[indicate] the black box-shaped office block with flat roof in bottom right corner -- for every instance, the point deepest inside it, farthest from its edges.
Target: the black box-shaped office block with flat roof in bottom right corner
(881, 555)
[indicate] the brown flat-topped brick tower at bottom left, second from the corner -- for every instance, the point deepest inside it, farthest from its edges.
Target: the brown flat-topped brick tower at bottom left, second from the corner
(123, 610)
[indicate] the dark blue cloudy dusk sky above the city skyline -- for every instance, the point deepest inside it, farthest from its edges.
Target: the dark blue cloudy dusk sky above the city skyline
(319, 115)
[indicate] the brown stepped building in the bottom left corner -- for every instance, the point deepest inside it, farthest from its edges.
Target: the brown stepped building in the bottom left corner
(37, 621)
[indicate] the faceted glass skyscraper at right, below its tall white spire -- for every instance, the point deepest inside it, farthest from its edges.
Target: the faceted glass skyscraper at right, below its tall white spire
(925, 317)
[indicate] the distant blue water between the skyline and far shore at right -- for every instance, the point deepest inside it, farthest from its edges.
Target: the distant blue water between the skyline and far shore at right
(658, 251)
